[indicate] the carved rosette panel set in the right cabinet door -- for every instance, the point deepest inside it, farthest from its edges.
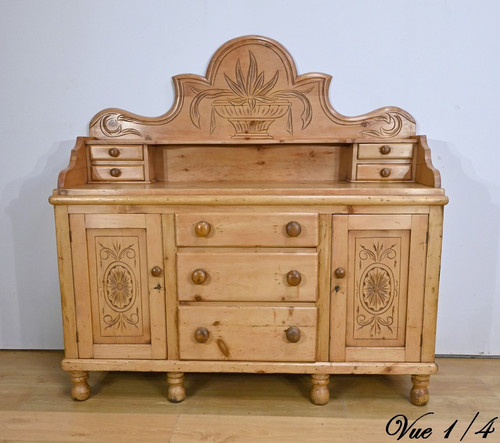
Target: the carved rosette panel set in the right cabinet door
(377, 285)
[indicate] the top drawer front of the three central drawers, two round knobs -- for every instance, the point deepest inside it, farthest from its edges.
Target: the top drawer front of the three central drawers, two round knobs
(241, 229)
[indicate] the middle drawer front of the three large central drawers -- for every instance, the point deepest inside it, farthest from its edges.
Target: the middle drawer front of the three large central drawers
(248, 275)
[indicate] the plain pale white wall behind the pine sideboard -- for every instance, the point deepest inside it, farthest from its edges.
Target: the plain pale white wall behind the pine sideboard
(63, 61)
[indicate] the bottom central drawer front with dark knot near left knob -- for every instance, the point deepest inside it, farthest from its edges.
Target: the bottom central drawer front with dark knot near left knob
(247, 333)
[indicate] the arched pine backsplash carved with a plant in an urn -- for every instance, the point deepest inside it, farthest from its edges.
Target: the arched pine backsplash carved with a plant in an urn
(252, 92)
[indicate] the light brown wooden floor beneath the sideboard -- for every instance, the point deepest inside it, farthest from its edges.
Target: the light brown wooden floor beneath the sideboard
(35, 405)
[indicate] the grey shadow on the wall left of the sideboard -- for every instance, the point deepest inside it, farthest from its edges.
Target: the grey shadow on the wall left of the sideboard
(33, 315)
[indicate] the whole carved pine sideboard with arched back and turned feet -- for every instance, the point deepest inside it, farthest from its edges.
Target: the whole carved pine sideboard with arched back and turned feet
(251, 228)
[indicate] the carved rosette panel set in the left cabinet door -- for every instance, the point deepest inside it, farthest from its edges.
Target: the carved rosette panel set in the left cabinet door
(119, 286)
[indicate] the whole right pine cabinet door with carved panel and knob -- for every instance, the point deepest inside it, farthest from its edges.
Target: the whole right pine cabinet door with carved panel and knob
(378, 278)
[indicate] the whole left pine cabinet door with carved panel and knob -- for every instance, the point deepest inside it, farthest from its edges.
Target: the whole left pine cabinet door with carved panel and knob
(119, 285)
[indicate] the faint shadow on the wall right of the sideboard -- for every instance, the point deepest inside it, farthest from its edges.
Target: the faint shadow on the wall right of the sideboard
(469, 265)
